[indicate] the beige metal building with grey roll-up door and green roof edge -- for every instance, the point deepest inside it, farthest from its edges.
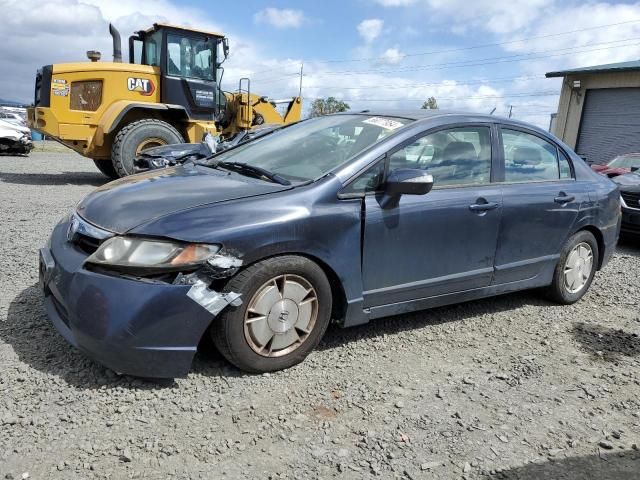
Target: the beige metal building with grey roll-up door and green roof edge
(599, 110)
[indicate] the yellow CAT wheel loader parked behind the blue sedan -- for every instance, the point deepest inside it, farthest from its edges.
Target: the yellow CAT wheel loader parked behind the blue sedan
(169, 92)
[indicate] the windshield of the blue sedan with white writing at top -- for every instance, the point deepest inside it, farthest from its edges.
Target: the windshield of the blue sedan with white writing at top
(312, 148)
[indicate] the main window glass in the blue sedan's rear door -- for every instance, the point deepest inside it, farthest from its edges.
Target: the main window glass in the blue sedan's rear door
(528, 158)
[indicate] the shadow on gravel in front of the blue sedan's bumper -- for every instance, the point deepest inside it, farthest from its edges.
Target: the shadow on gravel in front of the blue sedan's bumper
(38, 344)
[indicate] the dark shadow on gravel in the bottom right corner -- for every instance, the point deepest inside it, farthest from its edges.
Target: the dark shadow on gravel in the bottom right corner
(623, 465)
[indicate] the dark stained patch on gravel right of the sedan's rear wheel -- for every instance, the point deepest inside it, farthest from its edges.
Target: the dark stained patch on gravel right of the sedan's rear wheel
(607, 343)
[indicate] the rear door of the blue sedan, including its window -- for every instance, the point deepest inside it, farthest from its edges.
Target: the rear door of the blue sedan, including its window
(541, 200)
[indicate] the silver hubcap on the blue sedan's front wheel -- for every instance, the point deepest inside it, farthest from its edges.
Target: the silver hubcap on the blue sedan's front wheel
(280, 316)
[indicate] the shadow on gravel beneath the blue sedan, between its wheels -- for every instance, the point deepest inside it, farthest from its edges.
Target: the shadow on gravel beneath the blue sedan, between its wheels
(337, 336)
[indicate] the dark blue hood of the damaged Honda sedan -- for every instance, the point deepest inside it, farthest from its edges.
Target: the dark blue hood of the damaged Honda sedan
(132, 201)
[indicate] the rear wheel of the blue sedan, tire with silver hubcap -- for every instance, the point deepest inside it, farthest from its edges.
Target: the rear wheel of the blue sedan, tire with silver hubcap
(563, 290)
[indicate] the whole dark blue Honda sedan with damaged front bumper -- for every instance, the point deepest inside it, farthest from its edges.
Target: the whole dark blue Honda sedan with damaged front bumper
(348, 217)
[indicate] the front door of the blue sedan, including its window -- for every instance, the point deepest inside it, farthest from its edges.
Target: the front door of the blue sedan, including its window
(442, 242)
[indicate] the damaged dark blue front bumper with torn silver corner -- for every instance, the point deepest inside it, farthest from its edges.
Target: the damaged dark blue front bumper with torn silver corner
(138, 327)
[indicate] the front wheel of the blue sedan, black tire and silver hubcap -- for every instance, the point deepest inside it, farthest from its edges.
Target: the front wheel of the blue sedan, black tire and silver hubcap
(239, 342)
